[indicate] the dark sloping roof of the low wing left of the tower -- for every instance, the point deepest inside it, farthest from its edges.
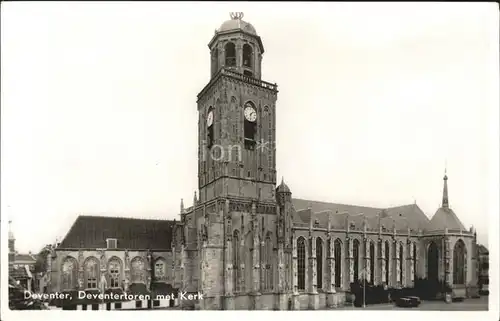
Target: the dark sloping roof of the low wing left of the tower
(131, 233)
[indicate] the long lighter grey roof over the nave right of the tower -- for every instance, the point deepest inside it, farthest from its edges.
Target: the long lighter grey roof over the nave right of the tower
(401, 217)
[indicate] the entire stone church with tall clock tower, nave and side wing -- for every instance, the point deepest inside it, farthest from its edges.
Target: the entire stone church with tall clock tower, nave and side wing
(245, 243)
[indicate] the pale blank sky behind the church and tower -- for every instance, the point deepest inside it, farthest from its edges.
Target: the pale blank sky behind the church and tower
(99, 110)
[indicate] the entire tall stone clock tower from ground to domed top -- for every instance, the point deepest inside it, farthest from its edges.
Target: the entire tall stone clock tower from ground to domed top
(237, 174)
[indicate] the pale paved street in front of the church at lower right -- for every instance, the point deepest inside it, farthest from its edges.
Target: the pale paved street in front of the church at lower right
(480, 304)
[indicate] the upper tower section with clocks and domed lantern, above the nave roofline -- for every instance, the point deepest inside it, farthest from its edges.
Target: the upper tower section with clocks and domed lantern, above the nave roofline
(237, 118)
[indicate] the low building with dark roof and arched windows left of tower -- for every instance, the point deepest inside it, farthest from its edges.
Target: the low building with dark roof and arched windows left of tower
(114, 254)
